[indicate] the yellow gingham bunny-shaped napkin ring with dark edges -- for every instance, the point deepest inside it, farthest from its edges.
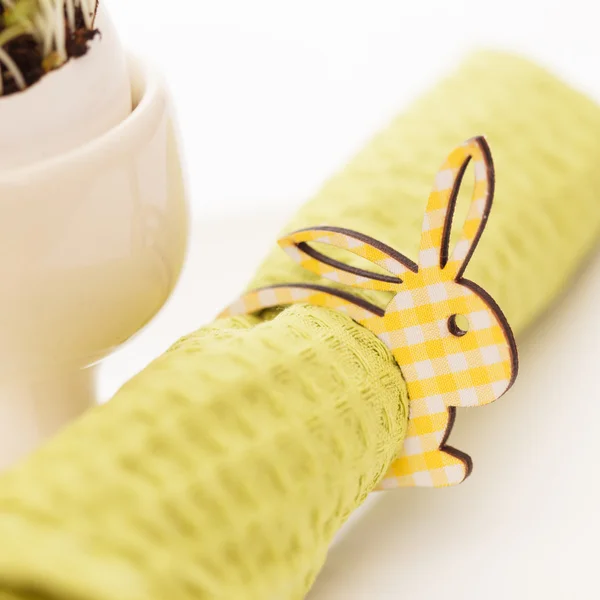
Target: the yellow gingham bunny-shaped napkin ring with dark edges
(450, 339)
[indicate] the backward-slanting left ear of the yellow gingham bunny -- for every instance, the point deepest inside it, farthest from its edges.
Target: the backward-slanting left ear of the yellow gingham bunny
(298, 246)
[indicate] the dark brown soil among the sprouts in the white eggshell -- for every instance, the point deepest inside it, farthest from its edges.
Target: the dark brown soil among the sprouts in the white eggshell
(28, 55)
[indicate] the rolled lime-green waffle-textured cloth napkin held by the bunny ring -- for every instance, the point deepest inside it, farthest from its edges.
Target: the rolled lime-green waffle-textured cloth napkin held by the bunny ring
(224, 469)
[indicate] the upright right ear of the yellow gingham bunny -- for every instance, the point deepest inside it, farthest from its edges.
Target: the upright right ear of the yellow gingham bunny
(442, 202)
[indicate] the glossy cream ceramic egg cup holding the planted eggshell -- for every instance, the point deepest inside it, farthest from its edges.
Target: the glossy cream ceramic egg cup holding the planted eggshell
(91, 245)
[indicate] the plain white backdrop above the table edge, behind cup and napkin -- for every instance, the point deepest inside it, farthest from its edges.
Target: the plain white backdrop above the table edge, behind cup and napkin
(274, 95)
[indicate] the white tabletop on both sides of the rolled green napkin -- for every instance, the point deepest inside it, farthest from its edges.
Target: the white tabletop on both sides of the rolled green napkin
(524, 526)
